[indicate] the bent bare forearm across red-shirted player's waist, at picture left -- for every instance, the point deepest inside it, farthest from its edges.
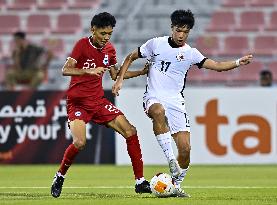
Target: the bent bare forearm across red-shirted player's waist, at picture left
(69, 69)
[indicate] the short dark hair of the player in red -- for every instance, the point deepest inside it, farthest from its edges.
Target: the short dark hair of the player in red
(103, 20)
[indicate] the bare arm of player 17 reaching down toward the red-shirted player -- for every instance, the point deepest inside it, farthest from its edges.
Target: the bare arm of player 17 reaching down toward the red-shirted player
(126, 64)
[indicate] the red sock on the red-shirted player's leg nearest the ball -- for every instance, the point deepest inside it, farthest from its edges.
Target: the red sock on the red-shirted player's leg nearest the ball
(134, 152)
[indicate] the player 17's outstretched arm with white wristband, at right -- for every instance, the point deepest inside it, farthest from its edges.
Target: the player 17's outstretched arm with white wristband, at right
(227, 65)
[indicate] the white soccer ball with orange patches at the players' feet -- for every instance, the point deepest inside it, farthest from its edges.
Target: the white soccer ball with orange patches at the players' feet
(162, 185)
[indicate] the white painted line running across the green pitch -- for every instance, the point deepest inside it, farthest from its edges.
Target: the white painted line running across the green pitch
(131, 187)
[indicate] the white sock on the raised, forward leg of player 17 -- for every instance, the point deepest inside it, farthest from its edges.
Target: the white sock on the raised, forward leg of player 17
(164, 141)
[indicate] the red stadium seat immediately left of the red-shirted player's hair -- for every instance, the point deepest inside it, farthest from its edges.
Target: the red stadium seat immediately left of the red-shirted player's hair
(68, 24)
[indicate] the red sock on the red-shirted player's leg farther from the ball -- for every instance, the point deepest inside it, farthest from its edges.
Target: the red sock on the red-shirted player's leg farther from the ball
(68, 157)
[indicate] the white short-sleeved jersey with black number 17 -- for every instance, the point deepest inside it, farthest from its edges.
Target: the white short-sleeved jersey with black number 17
(169, 66)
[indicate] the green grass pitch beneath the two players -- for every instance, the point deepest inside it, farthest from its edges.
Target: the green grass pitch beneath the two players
(107, 184)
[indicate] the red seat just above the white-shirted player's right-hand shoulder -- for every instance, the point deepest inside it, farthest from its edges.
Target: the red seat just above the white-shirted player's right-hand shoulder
(208, 45)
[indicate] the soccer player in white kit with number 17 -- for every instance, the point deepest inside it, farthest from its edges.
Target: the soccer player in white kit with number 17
(170, 59)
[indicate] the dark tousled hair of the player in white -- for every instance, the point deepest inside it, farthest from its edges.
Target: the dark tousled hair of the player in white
(182, 18)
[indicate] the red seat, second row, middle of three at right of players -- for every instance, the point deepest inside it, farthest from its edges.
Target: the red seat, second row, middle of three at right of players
(251, 21)
